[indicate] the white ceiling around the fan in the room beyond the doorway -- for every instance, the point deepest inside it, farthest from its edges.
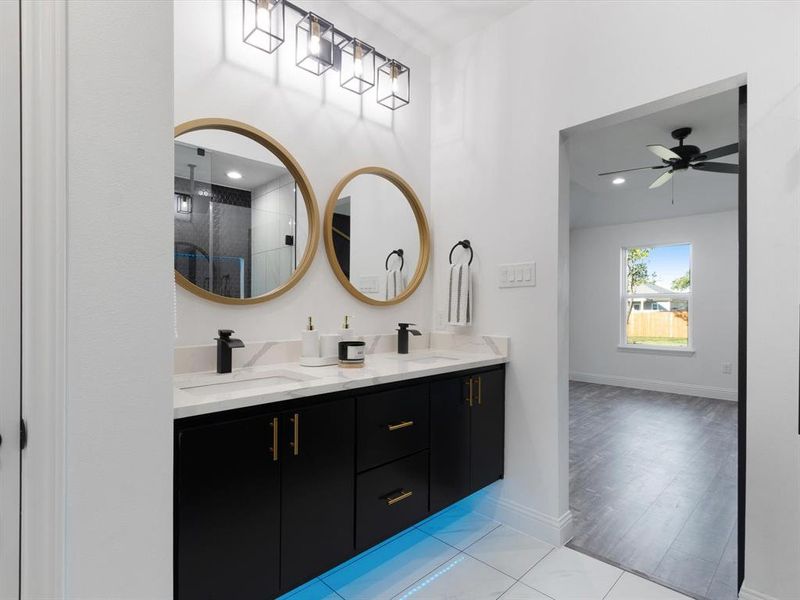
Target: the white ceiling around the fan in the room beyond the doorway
(596, 201)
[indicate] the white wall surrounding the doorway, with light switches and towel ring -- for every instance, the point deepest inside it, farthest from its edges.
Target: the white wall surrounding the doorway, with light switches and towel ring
(500, 99)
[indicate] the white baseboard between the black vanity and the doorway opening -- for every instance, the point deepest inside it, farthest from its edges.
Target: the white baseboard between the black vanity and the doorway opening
(555, 531)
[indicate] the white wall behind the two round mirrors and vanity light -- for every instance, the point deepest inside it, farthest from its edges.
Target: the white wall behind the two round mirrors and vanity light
(329, 130)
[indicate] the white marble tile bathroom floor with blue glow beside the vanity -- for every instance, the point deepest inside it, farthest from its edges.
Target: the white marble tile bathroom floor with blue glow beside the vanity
(462, 555)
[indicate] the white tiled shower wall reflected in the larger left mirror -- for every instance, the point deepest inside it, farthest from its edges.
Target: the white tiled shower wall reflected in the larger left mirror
(273, 218)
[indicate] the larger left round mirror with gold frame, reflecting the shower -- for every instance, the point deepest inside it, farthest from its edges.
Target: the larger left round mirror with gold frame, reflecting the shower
(246, 218)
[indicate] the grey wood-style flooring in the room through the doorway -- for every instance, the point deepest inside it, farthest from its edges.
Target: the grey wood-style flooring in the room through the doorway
(653, 485)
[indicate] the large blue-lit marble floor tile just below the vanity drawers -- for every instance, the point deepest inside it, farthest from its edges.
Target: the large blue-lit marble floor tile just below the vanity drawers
(391, 568)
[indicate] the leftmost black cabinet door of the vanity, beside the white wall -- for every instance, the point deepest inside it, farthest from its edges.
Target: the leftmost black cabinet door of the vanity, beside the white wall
(228, 511)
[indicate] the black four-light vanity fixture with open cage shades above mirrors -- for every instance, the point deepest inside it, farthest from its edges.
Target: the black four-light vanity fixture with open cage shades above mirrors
(319, 46)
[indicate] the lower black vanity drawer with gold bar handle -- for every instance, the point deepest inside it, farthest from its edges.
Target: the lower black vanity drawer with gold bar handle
(391, 498)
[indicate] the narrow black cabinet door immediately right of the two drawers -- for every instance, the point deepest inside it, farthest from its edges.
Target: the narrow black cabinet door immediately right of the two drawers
(450, 442)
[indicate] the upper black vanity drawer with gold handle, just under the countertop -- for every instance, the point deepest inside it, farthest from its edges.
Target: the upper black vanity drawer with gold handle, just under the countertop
(391, 425)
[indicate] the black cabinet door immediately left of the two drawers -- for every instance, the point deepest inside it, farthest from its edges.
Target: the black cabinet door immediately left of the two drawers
(318, 484)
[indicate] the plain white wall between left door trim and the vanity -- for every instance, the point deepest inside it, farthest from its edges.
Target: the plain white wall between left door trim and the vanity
(119, 319)
